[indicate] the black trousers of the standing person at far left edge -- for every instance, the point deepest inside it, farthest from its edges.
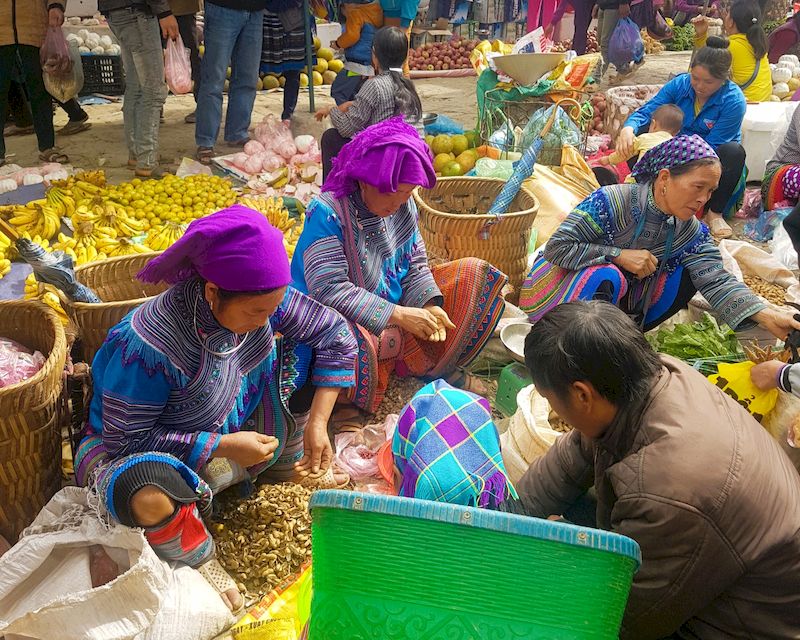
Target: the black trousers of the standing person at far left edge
(27, 59)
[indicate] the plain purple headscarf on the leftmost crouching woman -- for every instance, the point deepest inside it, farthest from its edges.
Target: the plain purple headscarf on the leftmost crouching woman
(236, 249)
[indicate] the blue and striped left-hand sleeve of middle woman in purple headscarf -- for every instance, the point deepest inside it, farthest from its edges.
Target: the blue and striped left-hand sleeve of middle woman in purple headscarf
(323, 267)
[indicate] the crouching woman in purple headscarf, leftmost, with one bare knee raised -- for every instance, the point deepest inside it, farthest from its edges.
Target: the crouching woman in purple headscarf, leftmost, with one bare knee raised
(194, 392)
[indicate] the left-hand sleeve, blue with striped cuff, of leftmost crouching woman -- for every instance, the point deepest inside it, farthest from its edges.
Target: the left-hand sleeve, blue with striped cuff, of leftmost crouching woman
(133, 400)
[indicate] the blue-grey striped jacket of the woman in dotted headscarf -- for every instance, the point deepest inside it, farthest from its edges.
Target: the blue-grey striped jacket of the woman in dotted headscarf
(609, 218)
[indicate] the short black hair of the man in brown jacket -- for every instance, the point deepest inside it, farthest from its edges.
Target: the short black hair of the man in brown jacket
(591, 342)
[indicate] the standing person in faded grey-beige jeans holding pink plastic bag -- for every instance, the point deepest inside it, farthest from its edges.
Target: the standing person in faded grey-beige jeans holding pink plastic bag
(136, 26)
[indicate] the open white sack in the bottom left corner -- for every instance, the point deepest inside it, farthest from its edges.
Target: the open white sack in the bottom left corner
(46, 591)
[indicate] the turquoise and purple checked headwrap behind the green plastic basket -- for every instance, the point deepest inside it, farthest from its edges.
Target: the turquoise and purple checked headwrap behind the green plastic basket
(447, 449)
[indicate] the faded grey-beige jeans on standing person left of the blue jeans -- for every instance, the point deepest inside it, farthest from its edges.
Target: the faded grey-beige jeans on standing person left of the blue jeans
(139, 37)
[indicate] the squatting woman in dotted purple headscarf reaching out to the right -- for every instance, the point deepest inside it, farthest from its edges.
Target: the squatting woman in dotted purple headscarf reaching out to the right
(641, 247)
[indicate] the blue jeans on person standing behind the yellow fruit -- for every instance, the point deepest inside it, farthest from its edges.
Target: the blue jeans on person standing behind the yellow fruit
(231, 37)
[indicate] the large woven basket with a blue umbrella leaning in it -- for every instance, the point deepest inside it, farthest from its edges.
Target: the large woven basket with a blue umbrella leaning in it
(451, 222)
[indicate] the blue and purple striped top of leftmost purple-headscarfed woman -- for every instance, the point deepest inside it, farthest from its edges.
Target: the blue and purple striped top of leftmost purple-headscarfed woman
(156, 389)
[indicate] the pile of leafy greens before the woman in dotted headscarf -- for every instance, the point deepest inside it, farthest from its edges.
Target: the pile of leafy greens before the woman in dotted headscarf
(702, 339)
